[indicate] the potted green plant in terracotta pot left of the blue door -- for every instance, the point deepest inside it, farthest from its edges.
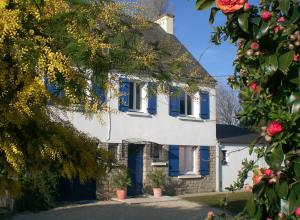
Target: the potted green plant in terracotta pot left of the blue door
(121, 181)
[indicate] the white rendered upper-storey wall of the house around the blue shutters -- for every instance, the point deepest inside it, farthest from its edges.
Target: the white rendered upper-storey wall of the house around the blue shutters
(160, 128)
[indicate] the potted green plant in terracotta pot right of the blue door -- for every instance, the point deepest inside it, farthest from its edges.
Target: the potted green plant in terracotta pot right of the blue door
(157, 180)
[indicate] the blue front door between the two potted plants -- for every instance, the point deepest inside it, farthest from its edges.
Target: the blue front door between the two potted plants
(135, 169)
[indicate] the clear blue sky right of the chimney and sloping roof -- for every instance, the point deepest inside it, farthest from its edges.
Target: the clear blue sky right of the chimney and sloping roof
(194, 31)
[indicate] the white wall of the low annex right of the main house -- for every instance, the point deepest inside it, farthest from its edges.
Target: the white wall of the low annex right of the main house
(229, 172)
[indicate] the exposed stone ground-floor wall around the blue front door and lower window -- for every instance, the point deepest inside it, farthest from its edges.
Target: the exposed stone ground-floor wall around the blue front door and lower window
(174, 185)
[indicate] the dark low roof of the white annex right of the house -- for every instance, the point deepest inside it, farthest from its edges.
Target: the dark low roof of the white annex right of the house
(230, 134)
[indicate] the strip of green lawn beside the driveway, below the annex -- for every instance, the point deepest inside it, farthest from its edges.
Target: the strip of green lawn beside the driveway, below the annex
(235, 201)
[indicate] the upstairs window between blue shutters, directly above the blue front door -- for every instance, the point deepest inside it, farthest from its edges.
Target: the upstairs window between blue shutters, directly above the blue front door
(135, 96)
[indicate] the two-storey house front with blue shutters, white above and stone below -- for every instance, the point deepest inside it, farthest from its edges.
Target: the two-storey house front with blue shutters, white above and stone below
(175, 132)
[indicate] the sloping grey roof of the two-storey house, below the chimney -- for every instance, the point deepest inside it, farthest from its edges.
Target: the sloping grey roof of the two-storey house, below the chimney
(192, 70)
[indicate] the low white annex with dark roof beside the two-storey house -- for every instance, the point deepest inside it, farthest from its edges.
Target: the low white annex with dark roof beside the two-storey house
(233, 148)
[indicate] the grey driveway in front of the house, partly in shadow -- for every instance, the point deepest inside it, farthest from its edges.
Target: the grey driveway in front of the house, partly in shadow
(174, 209)
